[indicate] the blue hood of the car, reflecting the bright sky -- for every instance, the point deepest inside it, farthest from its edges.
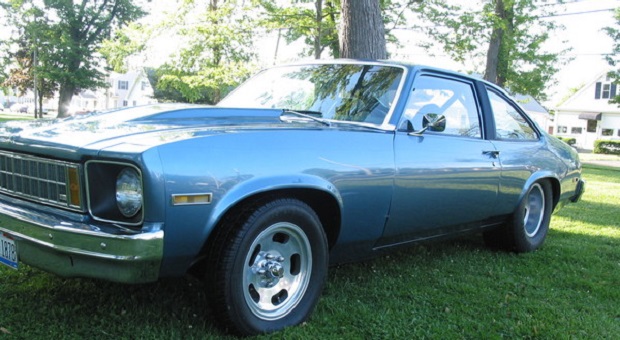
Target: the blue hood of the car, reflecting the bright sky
(134, 128)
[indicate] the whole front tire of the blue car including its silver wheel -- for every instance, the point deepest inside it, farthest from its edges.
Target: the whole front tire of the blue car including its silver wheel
(270, 267)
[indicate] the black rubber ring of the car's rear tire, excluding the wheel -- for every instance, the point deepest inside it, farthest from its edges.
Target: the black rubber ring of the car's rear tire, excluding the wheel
(522, 241)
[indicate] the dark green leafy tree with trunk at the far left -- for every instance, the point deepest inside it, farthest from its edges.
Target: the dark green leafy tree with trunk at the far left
(67, 37)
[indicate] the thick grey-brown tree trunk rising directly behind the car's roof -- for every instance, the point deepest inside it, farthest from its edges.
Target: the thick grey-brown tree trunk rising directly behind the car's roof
(362, 33)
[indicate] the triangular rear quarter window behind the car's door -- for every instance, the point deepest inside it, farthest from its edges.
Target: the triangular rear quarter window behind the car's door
(509, 122)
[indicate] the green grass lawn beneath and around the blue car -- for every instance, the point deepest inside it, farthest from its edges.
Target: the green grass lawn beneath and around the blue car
(570, 288)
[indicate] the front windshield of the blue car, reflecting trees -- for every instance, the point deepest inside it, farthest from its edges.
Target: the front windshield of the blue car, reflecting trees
(348, 92)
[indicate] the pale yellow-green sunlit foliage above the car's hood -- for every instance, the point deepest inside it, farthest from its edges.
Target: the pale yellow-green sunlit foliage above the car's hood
(213, 40)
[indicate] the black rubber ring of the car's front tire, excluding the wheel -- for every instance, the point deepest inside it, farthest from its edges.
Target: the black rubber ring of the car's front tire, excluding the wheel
(282, 210)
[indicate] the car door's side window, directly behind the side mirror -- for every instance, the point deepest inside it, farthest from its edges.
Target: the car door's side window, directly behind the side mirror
(448, 97)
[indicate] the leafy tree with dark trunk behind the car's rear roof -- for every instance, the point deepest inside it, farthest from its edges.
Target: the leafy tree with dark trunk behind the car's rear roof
(503, 39)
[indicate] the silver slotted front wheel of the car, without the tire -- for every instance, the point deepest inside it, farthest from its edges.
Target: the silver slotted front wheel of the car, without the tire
(277, 271)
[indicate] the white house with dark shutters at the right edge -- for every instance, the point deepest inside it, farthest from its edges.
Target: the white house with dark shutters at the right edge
(587, 115)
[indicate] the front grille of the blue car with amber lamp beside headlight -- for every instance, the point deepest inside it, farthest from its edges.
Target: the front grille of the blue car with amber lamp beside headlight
(43, 180)
